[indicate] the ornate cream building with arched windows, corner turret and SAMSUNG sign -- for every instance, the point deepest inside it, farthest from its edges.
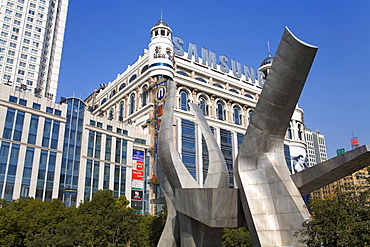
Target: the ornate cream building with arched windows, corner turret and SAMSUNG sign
(225, 90)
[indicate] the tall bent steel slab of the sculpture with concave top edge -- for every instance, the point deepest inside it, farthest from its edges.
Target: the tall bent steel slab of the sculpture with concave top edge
(273, 206)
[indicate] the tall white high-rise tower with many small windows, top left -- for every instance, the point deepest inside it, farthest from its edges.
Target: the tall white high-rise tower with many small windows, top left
(31, 40)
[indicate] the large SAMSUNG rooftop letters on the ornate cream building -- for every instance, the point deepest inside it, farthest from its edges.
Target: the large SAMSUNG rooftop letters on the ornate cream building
(209, 58)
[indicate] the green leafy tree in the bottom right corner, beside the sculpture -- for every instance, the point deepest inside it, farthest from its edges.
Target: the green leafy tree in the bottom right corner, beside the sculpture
(340, 220)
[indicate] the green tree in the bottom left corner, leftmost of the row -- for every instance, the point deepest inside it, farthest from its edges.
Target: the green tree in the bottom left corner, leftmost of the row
(30, 222)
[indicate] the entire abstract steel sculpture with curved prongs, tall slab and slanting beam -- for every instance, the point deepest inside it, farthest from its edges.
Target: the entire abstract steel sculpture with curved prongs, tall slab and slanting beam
(267, 198)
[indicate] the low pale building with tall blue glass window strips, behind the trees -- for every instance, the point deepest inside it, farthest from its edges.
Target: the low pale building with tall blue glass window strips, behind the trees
(59, 150)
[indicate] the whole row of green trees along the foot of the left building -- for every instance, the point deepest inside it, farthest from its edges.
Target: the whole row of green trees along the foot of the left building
(103, 221)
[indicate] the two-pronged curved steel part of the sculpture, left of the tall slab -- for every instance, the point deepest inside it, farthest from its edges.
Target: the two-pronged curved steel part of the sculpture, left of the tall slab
(195, 218)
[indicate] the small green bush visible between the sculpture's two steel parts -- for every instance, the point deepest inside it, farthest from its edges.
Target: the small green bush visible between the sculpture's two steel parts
(238, 237)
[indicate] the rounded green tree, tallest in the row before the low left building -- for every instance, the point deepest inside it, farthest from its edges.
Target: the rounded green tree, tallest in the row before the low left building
(107, 221)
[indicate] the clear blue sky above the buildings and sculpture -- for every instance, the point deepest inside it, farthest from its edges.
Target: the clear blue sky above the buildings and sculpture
(103, 37)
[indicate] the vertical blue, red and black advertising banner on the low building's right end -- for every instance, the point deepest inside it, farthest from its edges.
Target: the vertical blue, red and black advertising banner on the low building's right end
(137, 180)
